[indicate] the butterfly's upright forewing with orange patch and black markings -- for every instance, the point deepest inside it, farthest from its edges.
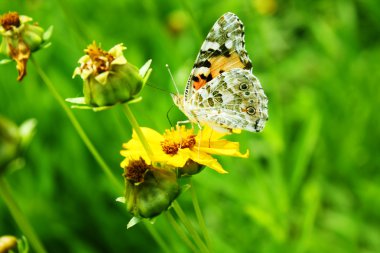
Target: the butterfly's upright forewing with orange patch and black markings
(222, 51)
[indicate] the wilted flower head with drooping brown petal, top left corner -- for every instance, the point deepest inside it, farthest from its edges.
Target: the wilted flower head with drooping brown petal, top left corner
(20, 39)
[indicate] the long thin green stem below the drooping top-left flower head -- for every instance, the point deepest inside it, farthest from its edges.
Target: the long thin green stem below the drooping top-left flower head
(106, 169)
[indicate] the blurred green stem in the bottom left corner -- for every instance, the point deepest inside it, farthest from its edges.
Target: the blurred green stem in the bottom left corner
(19, 217)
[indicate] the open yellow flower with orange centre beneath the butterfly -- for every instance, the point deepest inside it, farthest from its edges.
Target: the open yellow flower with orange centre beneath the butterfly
(179, 146)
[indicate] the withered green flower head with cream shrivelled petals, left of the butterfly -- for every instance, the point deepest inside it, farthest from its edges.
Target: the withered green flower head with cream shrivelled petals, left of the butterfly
(108, 78)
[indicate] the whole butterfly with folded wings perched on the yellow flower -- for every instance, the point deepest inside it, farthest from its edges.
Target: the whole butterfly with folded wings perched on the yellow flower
(221, 91)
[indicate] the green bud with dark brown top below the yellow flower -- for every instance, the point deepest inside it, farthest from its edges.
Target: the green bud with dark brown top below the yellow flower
(149, 190)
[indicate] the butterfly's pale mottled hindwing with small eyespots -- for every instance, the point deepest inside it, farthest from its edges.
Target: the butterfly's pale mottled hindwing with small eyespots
(232, 100)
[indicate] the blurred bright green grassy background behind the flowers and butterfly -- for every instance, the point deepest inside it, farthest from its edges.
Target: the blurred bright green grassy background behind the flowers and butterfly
(311, 183)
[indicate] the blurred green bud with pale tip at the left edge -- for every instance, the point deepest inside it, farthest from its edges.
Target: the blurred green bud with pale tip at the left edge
(13, 139)
